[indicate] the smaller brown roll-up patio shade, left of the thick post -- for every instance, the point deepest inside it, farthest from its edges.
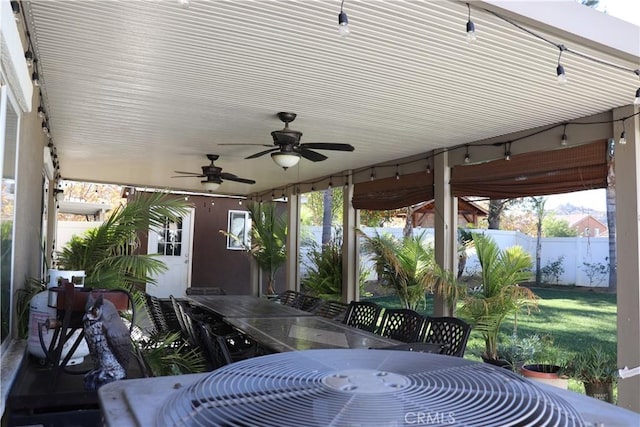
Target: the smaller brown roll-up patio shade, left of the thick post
(393, 193)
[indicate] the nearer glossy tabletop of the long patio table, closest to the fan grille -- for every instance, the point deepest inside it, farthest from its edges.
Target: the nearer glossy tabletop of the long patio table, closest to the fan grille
(283, 334)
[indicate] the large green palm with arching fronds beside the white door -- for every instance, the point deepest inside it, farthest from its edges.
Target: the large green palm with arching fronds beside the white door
(107, 253)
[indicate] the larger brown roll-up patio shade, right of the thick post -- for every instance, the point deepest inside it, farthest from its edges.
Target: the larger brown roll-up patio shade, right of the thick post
(534, 174)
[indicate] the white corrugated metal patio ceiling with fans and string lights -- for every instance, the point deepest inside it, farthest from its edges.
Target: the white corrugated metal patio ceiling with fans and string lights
(138, 89)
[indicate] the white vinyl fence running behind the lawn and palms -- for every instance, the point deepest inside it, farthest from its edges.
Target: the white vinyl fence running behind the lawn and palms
(581, 256)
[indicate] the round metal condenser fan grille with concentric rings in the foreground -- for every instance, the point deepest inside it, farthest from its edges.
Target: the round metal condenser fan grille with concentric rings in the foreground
(364, 388)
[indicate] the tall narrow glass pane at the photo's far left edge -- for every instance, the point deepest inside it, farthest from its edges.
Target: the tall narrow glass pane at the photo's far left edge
(7, 203)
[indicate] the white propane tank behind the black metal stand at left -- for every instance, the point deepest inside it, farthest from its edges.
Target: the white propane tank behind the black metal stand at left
(40, 310)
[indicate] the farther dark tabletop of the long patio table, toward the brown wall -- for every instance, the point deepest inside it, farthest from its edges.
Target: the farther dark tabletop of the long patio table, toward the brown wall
(229, 306)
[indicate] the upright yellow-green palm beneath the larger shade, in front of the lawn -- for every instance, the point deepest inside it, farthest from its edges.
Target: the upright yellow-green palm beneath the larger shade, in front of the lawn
(500, 295)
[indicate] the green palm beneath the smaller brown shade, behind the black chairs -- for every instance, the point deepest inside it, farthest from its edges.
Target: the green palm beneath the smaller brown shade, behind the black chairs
(407, 265)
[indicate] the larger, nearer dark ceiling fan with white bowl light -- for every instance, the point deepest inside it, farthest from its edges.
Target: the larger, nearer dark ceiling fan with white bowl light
(288, 149)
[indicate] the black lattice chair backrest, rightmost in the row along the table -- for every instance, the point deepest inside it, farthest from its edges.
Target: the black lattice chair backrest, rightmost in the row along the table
(450, 331)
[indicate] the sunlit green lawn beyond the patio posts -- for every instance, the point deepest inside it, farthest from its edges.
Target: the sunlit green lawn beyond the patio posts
(575, 318)
